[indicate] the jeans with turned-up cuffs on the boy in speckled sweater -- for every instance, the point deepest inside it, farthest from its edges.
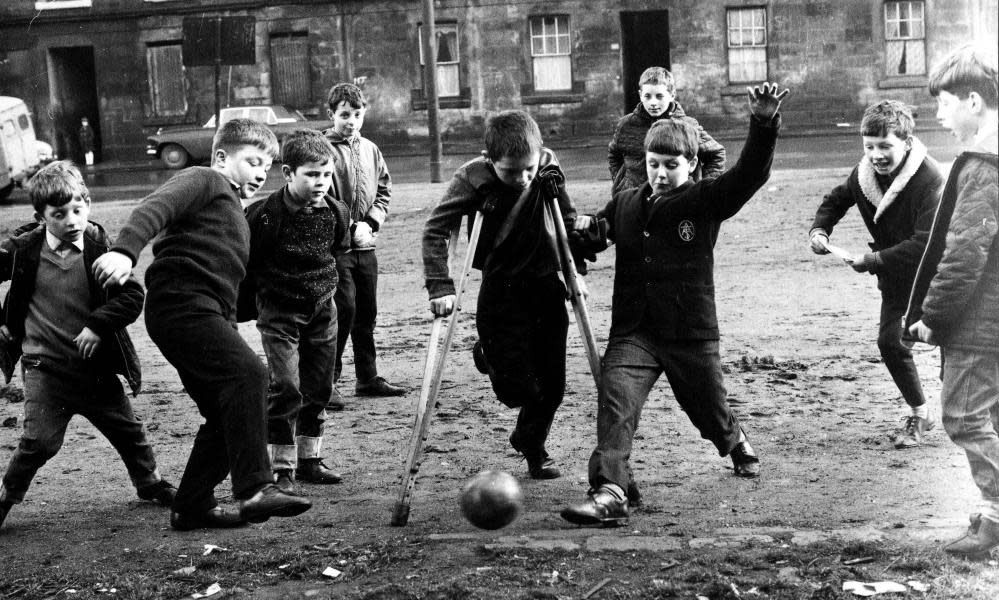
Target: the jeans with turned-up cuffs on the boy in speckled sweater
(301, 351)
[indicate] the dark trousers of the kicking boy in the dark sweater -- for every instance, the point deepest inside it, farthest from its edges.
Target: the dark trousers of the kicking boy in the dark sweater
(228, 383)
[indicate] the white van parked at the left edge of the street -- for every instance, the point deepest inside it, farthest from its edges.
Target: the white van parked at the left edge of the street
(20, 152)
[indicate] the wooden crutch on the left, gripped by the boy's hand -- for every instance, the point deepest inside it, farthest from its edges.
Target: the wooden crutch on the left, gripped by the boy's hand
(432, 371)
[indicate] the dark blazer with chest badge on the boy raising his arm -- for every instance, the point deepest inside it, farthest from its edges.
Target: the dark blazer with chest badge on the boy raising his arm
(664, 269)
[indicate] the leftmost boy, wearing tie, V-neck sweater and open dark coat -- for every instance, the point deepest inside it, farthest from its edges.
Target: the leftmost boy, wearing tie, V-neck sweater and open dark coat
(71, 337)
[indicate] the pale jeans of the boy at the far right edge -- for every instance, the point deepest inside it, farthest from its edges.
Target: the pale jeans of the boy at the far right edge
(970, 405)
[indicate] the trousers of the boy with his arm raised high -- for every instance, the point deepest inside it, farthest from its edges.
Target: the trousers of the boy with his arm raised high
(630, 367)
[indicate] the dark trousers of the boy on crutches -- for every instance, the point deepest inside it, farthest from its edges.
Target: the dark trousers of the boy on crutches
(522, 325)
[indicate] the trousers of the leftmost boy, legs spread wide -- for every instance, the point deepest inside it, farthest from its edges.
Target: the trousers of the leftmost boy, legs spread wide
(52, 395)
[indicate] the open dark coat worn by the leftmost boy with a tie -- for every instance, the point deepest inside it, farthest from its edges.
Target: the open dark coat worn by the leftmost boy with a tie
(112, 309)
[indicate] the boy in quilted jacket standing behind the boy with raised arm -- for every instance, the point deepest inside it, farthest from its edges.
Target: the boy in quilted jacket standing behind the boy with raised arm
(657, 100)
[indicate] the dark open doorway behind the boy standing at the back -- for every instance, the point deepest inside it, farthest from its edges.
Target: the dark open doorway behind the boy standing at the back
(644, 44)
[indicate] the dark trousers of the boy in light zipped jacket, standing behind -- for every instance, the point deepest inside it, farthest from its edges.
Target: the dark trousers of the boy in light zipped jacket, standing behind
(357, 309)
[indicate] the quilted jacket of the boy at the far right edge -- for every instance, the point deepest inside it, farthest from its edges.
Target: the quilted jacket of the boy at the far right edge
(956, 293)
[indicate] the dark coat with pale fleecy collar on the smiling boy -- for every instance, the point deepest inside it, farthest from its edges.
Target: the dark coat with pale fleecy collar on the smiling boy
(899, 219)
